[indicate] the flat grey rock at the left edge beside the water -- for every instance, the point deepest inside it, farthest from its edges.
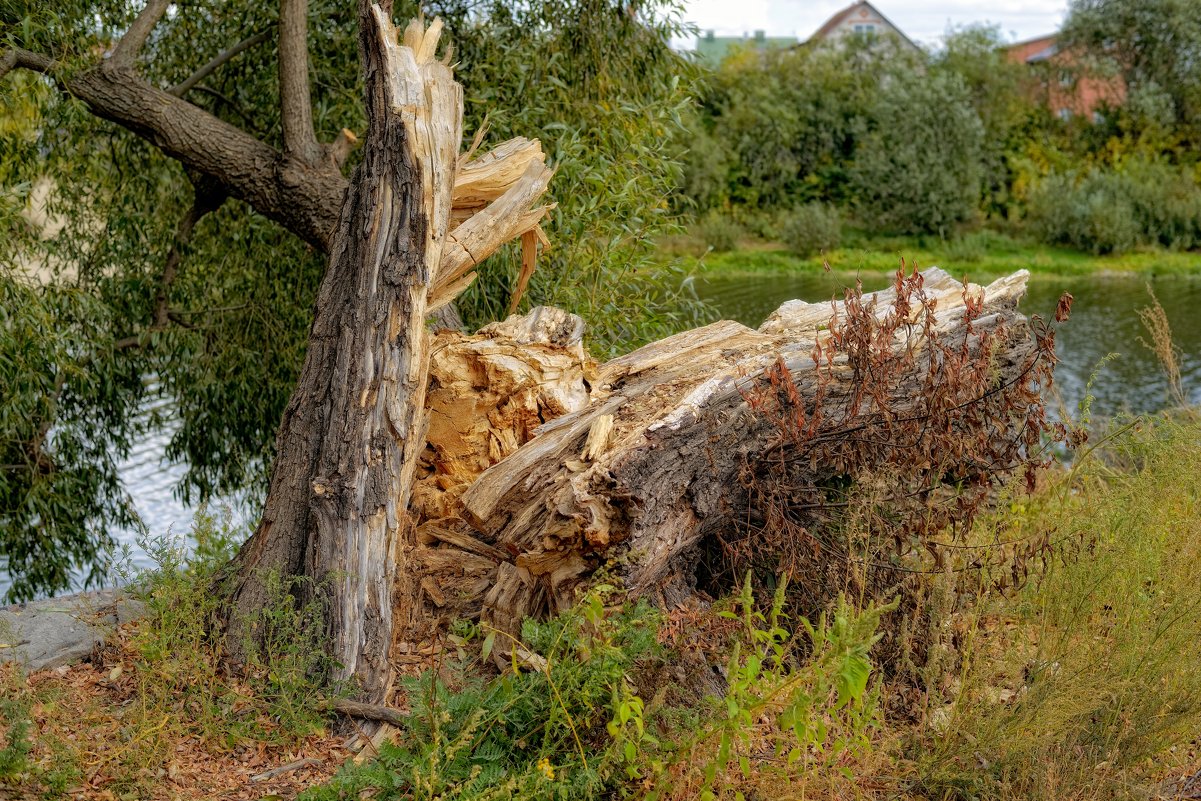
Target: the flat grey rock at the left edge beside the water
(62, 631)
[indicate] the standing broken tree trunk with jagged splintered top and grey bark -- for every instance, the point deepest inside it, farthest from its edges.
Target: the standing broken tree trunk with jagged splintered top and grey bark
(349, 445)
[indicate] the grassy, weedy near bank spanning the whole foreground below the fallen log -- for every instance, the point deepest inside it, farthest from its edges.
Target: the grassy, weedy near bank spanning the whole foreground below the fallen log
(1080, 683)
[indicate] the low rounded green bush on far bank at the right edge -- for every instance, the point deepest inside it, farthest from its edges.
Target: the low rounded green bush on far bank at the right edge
(1142, 202)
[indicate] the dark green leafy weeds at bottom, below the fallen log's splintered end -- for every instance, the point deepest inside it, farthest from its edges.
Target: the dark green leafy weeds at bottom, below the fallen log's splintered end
(522, 736)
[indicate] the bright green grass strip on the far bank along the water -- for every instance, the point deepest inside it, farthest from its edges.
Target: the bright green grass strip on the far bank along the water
(983, 254)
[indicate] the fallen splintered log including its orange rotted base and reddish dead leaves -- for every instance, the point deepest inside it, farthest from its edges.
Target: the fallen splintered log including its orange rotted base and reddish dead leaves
(646, 457)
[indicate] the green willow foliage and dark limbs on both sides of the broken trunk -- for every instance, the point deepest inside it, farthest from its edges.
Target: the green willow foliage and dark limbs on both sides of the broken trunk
(189, 164)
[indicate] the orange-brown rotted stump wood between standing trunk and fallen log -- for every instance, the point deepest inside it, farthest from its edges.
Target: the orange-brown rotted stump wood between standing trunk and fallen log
(488, 396)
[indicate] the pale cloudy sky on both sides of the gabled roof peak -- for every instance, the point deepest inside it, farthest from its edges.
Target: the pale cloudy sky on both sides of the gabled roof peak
(923, 22)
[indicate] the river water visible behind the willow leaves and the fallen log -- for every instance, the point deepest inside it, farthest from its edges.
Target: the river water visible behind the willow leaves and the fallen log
(1106, 320)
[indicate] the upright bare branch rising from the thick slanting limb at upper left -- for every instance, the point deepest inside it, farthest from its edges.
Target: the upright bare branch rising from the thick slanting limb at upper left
(296, 103)
